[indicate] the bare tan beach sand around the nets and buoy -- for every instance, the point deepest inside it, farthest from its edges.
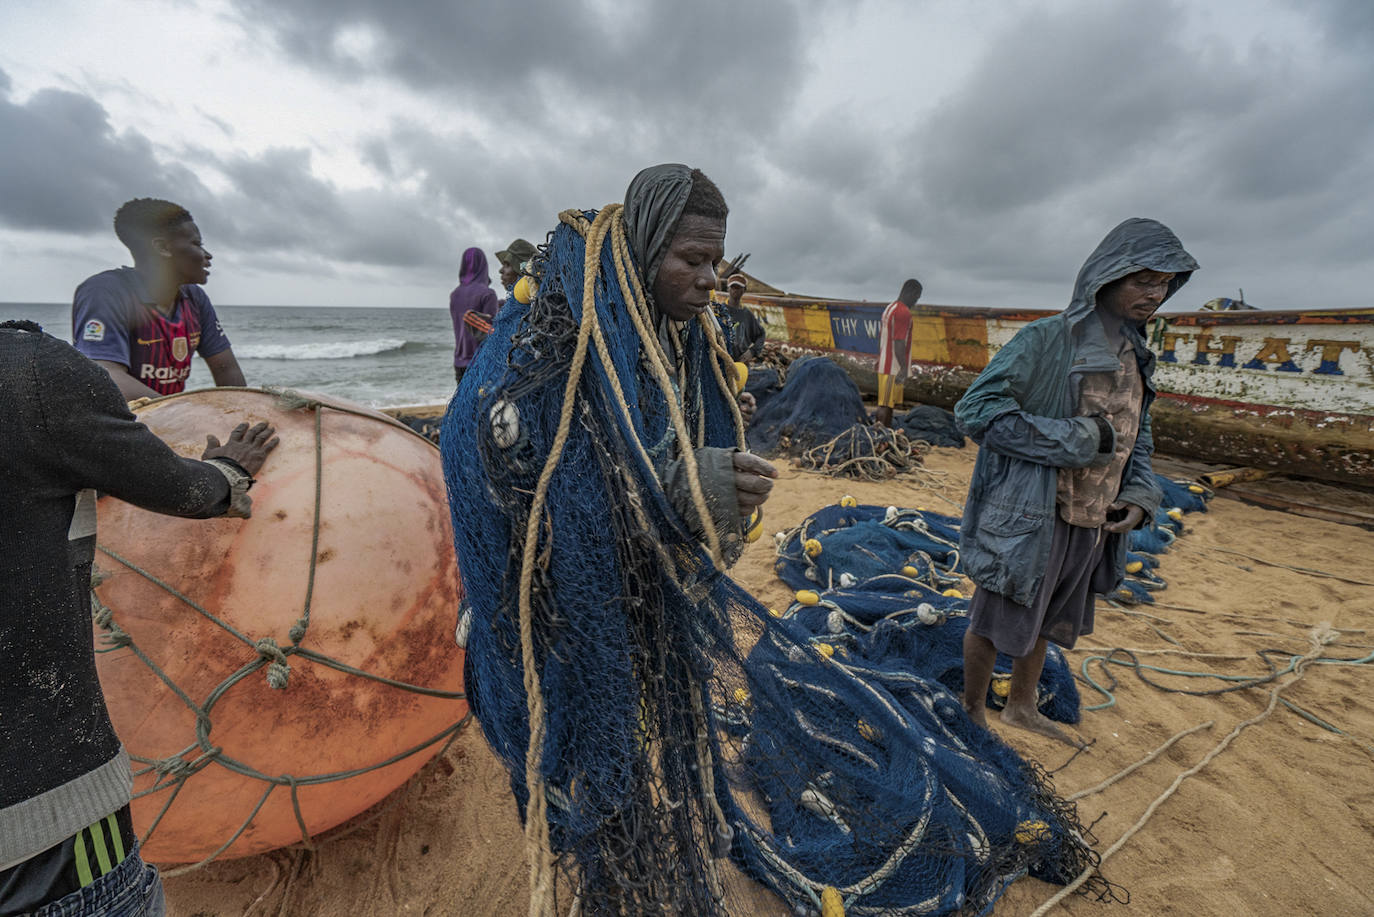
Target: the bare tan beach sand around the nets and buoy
(1277, 821)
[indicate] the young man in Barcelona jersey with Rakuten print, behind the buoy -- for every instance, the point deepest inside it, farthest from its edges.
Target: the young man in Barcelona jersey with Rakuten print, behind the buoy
(144, 324)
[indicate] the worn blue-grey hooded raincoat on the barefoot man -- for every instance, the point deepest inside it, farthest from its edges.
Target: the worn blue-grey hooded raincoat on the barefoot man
(1022, 410)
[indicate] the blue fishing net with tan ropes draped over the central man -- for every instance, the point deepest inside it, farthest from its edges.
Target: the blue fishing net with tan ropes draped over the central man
(682, 731)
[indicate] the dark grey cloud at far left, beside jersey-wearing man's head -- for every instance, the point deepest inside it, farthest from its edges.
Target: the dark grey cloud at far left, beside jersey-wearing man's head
(65, 167)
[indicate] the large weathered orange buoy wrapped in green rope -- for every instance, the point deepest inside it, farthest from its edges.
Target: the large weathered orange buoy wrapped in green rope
(350, 520)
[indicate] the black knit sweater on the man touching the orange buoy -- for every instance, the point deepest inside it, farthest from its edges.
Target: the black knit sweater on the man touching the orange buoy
(65, 430)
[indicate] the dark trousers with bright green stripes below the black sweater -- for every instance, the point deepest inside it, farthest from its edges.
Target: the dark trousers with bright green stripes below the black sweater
(98, 871)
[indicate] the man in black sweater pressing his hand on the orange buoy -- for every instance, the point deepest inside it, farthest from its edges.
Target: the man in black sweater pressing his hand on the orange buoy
(65, 780)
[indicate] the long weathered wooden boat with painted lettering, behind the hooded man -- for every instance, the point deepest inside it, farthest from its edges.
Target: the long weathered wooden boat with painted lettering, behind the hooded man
(1288, 391)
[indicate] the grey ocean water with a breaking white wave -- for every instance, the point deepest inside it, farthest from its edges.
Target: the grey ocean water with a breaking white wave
(383, 358)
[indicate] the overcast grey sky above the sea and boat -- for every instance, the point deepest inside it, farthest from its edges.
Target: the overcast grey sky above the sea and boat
(347, 152)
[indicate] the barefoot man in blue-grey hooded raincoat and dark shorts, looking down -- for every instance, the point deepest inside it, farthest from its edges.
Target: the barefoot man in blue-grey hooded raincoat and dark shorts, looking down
(1063, 419)
